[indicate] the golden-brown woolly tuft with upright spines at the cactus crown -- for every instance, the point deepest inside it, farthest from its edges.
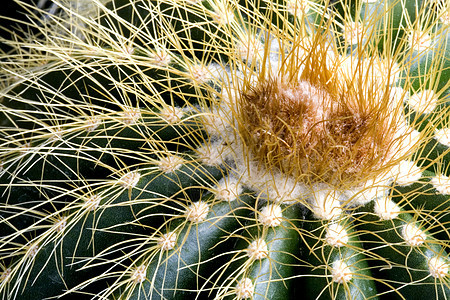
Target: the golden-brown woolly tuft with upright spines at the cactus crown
(320, 122)
